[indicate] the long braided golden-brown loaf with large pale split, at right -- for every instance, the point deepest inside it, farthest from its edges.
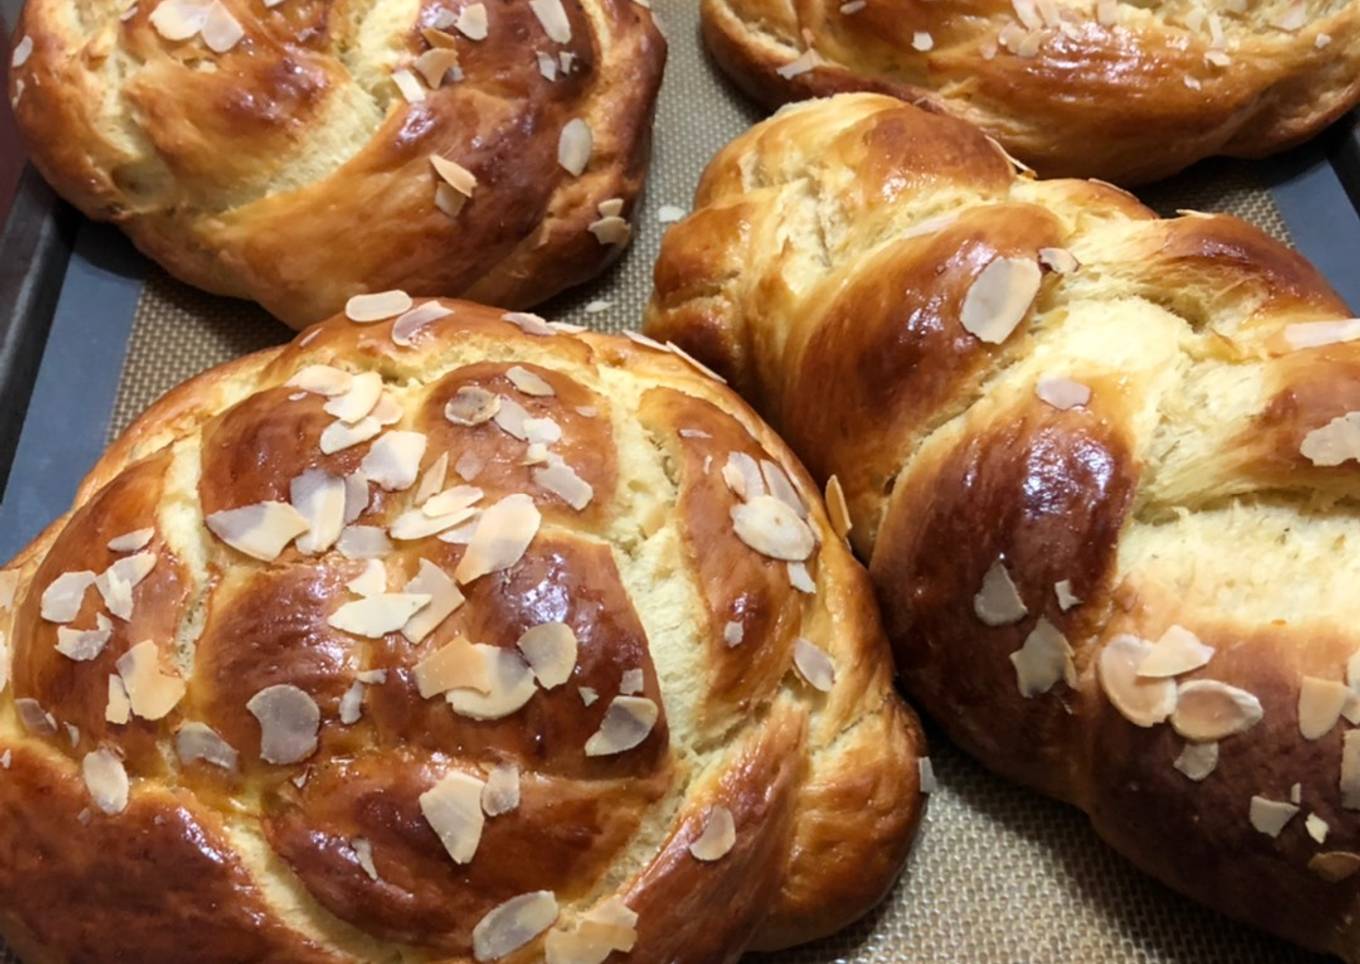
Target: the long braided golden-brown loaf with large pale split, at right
(1101, 466)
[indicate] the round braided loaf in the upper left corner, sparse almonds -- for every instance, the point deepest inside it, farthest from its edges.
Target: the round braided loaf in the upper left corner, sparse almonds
(301, 152)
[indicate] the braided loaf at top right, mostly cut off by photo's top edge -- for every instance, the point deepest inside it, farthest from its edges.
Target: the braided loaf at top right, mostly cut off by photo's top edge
(1125, 92)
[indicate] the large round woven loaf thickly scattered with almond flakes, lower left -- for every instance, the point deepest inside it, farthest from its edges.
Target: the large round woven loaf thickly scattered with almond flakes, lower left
(512, 672)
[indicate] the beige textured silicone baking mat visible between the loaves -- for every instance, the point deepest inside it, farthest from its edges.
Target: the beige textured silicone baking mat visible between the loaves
(999, 875)
